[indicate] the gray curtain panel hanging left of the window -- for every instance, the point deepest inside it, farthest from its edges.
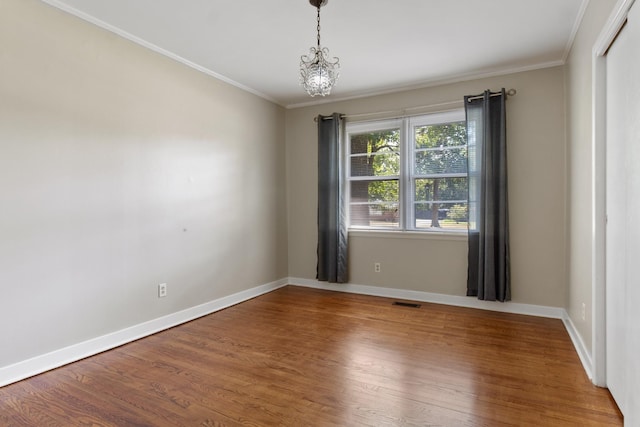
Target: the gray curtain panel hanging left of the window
(332, 227)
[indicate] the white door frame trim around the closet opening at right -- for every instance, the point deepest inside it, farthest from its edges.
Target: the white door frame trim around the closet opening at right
(598, 187)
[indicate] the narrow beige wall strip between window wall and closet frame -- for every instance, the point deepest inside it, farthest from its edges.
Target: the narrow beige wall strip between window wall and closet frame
(579, 80)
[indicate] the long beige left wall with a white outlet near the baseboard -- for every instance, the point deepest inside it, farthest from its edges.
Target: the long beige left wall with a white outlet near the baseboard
(121, 169)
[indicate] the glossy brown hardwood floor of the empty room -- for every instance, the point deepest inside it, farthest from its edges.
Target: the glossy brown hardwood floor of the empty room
(305, 357)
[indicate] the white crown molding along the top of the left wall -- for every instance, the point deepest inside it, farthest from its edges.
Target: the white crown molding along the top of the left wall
(93, 20)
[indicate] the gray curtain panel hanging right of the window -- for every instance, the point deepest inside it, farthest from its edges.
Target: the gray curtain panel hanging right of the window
(489, 265)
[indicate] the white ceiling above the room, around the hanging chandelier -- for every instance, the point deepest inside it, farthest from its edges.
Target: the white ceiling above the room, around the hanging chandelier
(383, 45)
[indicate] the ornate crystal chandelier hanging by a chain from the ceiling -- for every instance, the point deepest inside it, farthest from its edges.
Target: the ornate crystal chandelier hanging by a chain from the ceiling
(318, 71)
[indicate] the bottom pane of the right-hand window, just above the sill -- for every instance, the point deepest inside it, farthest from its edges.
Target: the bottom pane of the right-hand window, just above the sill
(441, 216)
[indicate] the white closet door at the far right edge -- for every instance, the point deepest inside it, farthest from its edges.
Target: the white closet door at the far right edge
(623, 219)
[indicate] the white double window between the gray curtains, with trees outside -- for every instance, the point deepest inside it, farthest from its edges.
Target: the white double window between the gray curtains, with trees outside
(408, 174)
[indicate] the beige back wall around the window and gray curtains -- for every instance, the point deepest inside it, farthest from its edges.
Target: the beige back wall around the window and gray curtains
(536, 141)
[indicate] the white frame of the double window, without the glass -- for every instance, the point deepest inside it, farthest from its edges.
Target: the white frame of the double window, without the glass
(407, 175)
